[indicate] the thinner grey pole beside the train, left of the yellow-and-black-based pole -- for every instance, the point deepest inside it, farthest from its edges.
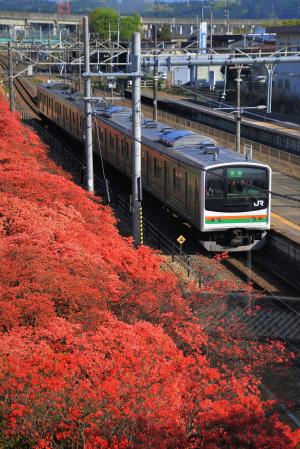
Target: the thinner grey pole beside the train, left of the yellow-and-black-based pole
(88, 136)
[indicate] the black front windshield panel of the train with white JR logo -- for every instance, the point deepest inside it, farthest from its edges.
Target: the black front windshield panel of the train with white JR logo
(236, 189)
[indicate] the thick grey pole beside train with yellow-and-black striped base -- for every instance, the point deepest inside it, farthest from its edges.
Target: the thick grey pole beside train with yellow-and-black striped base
(136, 199)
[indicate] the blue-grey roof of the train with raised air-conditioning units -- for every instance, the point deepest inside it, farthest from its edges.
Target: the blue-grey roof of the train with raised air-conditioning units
(183, 145)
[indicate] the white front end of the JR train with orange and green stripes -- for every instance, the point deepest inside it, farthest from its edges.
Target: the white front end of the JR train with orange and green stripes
(236, 206)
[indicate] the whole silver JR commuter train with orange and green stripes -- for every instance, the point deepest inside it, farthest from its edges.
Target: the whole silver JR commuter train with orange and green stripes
(224, 195)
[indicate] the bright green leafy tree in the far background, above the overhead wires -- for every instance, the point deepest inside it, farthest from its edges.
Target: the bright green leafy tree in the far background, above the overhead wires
(106, 19)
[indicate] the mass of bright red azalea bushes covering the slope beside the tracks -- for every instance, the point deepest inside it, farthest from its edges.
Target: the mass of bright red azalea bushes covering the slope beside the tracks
(99, 348)
